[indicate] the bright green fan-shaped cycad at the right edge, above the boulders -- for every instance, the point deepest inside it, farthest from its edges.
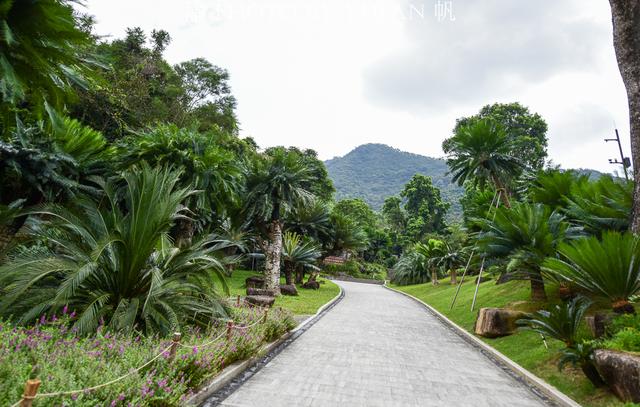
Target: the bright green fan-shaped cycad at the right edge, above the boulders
(608, 268)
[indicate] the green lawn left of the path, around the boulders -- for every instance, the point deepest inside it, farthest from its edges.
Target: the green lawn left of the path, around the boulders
(307, 303)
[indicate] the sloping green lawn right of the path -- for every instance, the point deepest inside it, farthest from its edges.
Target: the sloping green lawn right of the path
(525, 348)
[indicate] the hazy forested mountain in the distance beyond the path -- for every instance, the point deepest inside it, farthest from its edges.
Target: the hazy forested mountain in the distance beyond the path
(375, 171)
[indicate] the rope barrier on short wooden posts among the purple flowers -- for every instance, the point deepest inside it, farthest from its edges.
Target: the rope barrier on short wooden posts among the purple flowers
(171, 348)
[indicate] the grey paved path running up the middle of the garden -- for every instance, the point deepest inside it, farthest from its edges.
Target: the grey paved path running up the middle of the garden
(379, 348)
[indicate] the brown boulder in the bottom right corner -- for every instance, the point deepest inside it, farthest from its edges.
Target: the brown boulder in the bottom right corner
(621, 371)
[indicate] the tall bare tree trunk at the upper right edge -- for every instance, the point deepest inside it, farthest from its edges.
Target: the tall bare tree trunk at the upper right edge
(626, 41)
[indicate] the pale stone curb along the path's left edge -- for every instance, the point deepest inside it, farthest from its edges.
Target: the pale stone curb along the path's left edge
(265, 353)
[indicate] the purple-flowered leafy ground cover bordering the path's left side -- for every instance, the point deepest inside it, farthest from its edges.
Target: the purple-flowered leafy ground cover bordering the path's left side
(64, 361)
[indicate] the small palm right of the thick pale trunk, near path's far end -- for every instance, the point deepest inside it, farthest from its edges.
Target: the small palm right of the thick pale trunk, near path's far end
(298, 254)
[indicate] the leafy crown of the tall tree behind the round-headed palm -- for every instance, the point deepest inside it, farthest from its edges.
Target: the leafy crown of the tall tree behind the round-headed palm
(526, 131)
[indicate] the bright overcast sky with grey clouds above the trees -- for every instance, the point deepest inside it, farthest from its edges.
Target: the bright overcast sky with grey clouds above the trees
(333, 74)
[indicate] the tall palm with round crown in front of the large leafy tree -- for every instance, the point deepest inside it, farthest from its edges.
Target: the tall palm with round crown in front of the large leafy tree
(482, 152)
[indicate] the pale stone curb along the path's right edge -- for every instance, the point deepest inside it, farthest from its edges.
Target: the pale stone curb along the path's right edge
(533, 381)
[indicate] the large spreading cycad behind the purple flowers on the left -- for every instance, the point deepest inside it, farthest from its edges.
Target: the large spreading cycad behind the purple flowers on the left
(114, 262)
